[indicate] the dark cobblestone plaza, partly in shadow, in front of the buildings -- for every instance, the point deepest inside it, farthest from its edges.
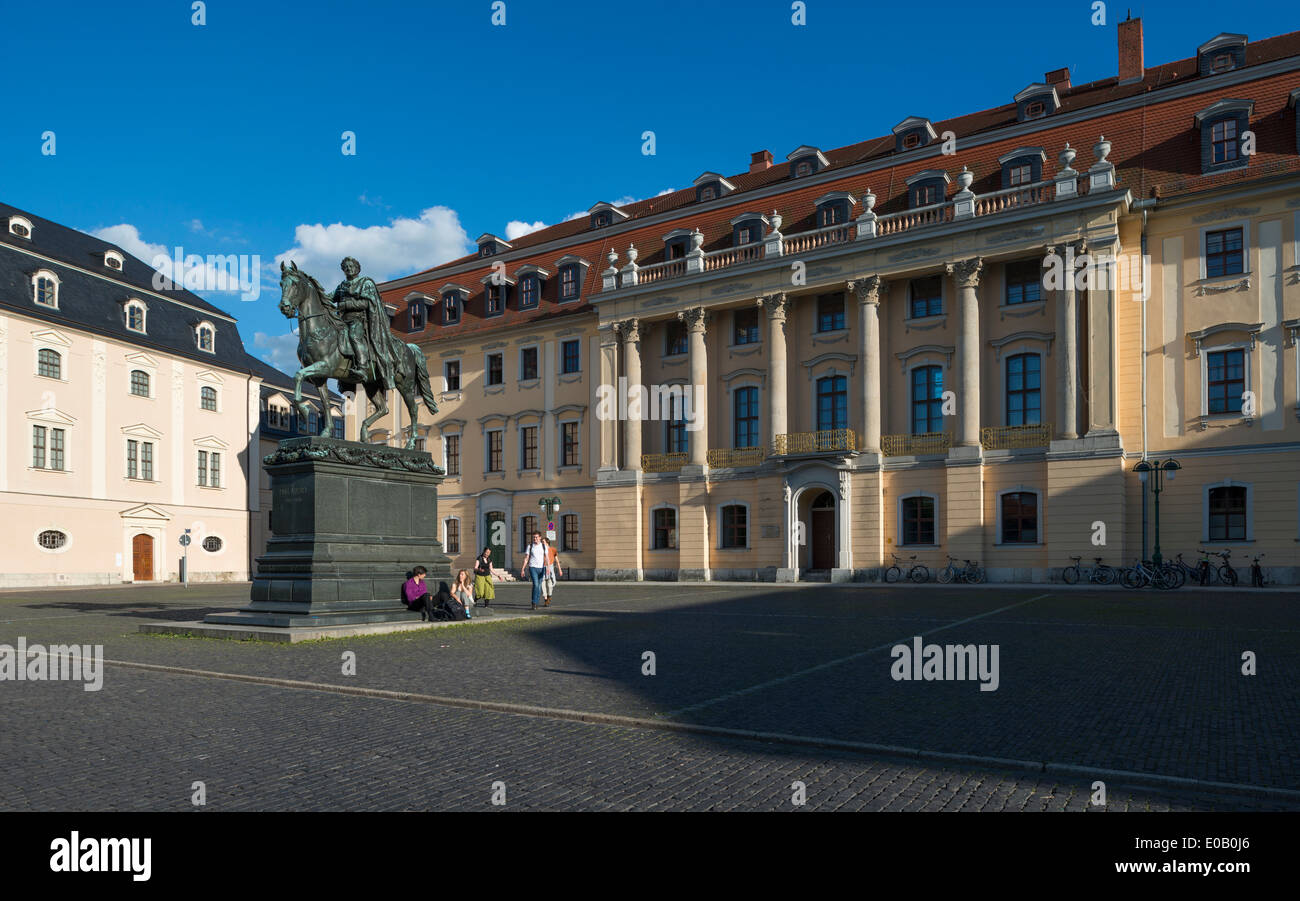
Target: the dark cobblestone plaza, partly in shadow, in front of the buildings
(1090, 682)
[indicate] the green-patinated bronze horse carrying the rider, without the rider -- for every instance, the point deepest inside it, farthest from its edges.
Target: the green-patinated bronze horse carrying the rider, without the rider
(320, 350)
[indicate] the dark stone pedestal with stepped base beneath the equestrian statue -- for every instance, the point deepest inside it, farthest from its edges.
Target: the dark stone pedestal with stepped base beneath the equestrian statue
(348, 523)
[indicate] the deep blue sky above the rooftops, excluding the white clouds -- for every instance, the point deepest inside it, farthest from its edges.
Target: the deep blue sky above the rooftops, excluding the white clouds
(228, 137)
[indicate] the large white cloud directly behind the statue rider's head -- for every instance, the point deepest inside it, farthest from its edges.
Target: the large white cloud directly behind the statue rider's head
(385, 252)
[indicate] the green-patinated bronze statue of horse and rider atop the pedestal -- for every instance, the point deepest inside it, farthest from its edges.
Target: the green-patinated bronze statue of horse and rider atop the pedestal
(346, 336)
